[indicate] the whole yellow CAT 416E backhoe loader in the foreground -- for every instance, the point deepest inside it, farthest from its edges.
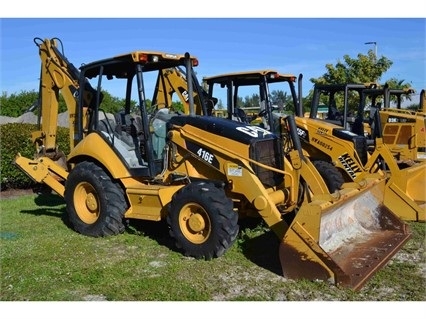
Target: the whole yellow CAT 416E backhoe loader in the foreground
(198, 173)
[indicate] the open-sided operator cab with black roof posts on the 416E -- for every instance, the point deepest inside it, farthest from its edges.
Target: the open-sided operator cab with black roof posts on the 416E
(138, 132)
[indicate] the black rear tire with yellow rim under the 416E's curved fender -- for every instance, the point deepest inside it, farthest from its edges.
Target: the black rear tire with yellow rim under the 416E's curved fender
(95, 203)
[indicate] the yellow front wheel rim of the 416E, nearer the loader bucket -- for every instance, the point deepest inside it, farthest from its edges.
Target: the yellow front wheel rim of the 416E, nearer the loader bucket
(194, 223)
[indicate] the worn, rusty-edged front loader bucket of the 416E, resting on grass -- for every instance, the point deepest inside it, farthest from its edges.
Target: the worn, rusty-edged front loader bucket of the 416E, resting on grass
(345, 242)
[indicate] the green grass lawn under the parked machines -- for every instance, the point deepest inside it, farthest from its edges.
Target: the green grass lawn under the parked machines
(42, 259)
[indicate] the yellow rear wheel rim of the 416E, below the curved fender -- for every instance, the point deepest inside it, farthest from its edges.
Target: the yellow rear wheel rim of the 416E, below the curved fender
(86, 203)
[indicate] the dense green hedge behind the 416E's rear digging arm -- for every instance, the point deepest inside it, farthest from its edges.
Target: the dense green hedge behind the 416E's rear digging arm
(16, 138)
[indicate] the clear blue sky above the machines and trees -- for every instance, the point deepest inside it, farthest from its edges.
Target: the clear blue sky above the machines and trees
(221, 44)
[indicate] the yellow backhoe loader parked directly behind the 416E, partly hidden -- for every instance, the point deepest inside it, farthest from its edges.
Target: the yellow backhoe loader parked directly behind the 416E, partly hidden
(338, 154)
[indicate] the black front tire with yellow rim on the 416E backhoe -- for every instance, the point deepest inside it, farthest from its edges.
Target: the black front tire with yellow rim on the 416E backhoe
(202, 221)
